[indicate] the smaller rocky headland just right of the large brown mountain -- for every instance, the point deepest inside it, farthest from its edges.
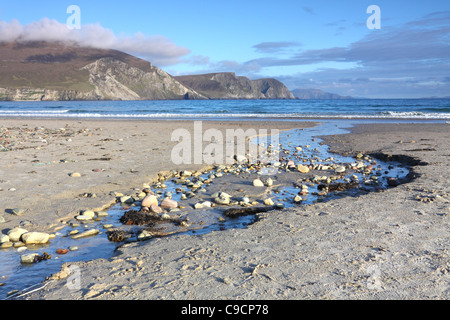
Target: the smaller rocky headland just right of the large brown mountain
(227, 85)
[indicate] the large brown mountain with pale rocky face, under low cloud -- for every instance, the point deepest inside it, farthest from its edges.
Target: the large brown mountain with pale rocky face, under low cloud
(61, 71)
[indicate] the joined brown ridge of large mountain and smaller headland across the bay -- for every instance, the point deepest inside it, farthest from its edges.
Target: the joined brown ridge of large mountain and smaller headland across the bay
(65, 71)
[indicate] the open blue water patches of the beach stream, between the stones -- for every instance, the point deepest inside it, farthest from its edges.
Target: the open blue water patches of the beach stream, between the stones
(17, 276)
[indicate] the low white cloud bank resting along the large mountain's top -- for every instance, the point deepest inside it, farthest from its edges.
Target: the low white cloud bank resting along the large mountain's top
(157, 49)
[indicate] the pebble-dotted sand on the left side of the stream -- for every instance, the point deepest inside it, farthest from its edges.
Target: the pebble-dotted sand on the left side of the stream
(111, 157)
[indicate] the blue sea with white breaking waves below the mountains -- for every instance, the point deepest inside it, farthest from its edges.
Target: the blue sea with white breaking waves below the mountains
(419, 109)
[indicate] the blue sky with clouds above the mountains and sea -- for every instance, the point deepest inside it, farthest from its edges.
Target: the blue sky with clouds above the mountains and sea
(320, 44)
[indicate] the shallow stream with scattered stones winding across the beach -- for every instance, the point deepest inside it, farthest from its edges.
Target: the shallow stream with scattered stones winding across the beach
(16, 278)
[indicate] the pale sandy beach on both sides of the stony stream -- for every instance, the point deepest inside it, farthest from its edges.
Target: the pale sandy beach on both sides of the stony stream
(385, 245)
